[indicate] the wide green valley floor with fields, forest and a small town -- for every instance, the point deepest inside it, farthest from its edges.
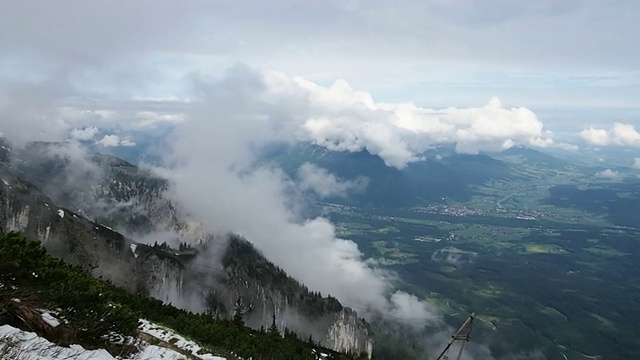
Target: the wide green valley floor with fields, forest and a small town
(516, 283)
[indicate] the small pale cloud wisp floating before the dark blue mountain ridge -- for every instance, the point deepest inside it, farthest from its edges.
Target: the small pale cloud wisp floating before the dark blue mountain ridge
(325, 184)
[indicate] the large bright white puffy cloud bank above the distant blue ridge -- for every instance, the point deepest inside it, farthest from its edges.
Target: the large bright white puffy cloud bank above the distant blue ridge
(342, 119)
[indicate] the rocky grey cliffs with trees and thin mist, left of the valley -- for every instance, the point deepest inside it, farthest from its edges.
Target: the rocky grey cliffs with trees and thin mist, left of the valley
(215, 274)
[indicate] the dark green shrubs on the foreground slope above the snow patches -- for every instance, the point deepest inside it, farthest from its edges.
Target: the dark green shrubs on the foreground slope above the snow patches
(94, 307)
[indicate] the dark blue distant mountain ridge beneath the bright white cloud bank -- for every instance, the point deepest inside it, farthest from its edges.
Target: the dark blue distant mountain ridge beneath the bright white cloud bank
(442, 174)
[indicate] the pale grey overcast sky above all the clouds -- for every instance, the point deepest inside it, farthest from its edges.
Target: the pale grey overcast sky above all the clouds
(538, 54)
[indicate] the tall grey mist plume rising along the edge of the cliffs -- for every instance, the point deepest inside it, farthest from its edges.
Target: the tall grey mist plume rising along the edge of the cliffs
(214, 180)
